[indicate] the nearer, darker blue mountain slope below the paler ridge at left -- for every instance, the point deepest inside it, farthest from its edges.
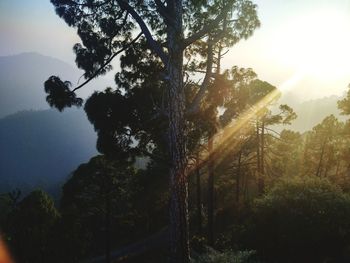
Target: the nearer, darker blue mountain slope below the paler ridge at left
(41, 148)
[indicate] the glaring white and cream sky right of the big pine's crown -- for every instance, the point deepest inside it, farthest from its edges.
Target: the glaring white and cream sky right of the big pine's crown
(303, 47)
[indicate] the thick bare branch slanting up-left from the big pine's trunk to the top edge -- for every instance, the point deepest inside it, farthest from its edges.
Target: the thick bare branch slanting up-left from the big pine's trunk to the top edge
(150, 40)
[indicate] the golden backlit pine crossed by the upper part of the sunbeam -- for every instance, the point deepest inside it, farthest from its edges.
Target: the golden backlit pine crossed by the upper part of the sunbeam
(250, 102)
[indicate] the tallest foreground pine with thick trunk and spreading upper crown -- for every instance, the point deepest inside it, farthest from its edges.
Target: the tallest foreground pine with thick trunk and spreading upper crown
(107, 28)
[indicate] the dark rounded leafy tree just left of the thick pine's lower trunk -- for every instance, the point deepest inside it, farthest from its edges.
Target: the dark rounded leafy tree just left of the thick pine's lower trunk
(97, 201)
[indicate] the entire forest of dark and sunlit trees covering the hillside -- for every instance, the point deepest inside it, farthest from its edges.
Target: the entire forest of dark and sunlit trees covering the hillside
(196, 162)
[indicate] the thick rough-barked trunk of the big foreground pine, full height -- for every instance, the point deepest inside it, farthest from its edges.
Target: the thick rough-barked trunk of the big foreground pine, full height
(179, 237)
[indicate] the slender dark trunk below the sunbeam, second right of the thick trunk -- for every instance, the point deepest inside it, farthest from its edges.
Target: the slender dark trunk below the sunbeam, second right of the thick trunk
(210, 193)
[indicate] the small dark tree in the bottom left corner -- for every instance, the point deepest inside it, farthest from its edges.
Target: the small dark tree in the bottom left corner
(30, 227)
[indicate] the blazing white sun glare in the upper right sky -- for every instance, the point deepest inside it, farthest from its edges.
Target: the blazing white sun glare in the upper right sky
(316, 44)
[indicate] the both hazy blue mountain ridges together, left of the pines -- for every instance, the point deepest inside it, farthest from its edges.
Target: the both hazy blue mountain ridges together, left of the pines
(39, 148)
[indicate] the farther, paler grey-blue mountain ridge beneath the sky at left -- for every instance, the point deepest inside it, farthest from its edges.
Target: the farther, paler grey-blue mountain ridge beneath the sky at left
(22, 77)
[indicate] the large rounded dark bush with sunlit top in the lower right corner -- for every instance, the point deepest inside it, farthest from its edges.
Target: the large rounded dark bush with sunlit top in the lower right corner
(301, 220)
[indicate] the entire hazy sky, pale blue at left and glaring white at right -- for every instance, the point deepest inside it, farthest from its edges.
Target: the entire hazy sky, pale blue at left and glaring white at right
(302, 46)
